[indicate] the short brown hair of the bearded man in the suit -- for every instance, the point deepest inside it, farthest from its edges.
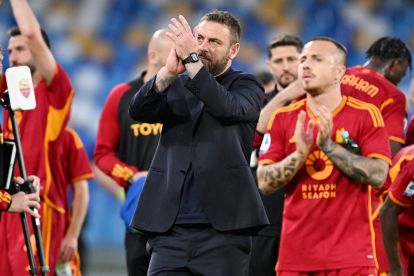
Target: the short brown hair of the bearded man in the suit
(227, 19)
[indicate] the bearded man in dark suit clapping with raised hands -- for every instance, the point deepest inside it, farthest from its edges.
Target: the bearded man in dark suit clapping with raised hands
(200, 203)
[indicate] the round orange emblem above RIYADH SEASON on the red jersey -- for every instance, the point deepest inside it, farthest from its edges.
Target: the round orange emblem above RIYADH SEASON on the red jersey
(318, 166)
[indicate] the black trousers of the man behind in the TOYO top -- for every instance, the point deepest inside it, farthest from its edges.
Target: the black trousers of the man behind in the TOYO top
(137, 257)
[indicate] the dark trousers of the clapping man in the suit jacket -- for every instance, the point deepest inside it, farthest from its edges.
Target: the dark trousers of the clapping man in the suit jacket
(199, 251)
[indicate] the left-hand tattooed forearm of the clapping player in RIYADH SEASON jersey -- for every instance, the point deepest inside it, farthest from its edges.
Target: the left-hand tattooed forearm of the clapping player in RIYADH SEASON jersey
(274, 176)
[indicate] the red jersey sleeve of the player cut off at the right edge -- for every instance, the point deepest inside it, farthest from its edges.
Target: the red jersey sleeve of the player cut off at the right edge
(402, 189)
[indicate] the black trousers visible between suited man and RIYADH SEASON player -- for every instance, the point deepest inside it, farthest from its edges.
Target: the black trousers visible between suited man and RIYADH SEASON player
(263, 256)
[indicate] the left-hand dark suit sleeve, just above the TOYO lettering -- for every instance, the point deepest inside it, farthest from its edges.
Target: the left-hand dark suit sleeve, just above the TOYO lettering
(148, 105)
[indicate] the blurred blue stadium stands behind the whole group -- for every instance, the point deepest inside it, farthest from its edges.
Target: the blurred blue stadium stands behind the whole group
(103, 42)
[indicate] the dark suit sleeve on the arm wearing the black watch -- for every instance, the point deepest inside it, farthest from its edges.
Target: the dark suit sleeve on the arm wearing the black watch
(242, 103)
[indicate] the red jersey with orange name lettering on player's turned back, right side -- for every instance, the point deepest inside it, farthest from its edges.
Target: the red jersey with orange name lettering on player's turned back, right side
(370, 86)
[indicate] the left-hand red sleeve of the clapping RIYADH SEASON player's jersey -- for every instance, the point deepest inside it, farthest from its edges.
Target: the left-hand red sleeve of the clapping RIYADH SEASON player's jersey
(273, 144)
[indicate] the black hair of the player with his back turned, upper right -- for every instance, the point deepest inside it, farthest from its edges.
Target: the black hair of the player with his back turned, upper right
(387, 47)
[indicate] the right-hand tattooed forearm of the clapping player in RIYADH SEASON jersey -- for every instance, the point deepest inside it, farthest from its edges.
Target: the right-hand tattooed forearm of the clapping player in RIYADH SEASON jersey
(359, 168)
